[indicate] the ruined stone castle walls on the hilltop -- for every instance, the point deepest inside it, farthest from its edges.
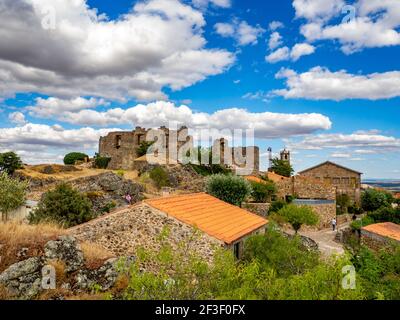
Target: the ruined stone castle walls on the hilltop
(170, 146)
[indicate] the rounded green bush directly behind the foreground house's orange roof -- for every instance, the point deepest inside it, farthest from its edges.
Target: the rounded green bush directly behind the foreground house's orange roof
(231, 189)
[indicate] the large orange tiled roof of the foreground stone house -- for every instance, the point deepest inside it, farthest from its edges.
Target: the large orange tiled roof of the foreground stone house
(217, 218)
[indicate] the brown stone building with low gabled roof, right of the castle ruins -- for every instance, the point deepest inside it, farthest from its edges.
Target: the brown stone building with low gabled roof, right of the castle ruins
(345, 180)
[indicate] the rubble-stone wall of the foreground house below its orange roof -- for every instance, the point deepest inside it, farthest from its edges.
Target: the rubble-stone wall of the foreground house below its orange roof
(125, 231)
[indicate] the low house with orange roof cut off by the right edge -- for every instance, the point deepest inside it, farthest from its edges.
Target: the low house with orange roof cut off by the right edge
(377, 236)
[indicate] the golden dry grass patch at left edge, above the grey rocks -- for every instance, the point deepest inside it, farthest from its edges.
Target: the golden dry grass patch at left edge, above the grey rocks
(14, 236)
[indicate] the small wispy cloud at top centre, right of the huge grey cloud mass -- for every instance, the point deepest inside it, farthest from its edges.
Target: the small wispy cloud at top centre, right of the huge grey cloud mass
(241, 31)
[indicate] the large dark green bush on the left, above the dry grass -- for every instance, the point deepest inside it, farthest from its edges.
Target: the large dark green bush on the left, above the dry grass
(63, 205)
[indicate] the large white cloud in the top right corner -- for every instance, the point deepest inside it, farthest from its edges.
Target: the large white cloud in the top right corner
(375, 22)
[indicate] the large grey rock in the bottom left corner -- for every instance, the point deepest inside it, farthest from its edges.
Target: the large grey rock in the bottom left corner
(23, 279)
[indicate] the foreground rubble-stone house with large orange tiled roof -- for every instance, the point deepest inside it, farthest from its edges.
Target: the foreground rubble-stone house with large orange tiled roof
(220, 224)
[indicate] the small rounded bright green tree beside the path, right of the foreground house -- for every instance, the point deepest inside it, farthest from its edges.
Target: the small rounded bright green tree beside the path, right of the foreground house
(296, 216)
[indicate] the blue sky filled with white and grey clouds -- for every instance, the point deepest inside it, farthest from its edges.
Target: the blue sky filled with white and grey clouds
(315, 76)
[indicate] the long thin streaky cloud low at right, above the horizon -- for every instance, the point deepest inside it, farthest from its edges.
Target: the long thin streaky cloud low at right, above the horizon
(362, 143)
